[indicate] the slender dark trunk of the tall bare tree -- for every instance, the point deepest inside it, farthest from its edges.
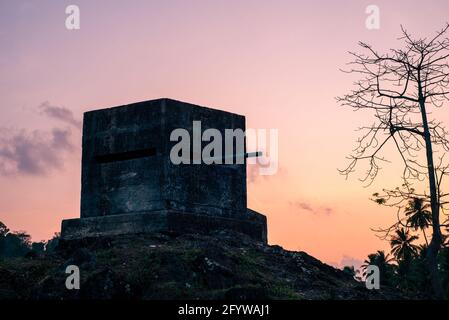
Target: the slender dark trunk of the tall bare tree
(436, 240)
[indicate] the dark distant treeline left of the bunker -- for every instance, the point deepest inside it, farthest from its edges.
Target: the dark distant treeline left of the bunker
(19, 244)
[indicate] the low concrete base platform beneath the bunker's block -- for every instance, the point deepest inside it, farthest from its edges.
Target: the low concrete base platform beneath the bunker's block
(253, 224)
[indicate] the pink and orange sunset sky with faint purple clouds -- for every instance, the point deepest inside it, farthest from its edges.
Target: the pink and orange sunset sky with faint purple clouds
(276, 62)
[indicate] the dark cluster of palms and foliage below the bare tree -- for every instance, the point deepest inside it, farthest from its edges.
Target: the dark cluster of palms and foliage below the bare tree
(406, 266)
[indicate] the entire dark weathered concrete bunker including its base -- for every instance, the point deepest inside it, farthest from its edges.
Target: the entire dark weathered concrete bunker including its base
(127, 172)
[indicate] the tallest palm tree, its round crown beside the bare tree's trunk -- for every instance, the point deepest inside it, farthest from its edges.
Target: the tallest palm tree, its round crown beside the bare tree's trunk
(419, 215)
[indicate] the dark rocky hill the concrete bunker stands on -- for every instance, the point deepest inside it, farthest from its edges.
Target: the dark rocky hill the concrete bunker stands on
(222, 265)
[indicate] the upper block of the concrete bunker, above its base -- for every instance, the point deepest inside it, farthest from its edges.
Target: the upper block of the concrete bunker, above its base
(151, 182)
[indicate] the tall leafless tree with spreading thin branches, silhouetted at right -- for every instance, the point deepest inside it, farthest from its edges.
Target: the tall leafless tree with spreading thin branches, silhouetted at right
(400, 88)
